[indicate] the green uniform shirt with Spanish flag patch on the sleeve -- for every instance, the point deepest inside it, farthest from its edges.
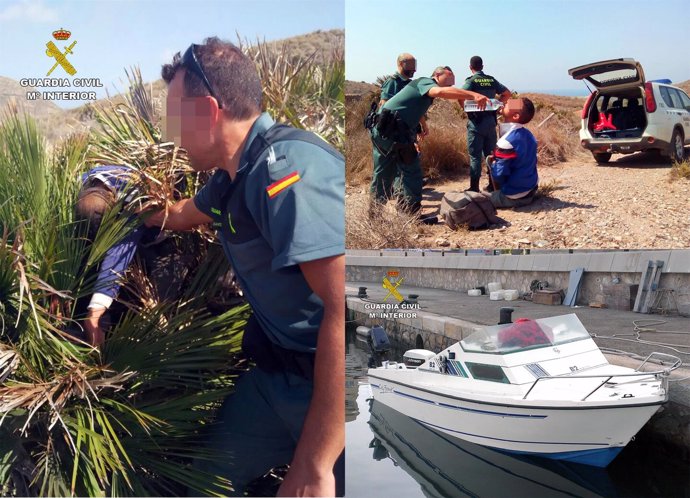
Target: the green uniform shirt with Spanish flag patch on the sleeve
(283, 209)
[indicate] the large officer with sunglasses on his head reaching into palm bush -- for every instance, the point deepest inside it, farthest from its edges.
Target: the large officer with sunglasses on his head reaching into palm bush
(276, 200)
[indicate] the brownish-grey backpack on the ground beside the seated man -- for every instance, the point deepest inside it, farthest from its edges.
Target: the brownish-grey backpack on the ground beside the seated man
(470, 209)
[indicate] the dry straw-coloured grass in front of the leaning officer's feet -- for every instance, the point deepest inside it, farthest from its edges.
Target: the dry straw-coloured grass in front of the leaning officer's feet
(376, 226)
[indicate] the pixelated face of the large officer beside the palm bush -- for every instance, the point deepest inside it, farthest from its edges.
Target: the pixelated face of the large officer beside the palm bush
(192, 122)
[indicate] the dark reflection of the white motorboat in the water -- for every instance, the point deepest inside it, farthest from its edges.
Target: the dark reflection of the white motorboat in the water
(449, 467)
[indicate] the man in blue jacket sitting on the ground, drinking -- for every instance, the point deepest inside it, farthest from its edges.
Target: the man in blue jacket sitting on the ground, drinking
(514, 163)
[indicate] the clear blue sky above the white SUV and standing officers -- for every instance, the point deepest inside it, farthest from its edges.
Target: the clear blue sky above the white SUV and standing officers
(527, 44)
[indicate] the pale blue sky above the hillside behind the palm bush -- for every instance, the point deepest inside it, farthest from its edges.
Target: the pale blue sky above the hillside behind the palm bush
(112, 34)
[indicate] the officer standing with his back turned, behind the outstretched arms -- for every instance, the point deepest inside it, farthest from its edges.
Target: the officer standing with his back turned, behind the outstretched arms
(481, 126)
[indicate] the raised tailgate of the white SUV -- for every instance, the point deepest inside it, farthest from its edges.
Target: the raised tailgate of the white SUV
(613, 74)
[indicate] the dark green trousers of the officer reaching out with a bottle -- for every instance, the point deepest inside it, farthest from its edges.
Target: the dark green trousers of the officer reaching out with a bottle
(387, 165)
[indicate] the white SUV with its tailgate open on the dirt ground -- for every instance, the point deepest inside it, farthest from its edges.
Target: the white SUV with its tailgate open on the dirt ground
(625, 114)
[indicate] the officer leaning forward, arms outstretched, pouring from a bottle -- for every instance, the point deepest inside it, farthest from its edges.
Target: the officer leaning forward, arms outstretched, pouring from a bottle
(394, 135)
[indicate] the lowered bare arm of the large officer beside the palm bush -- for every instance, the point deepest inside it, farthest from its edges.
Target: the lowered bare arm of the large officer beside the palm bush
(323, 434)
